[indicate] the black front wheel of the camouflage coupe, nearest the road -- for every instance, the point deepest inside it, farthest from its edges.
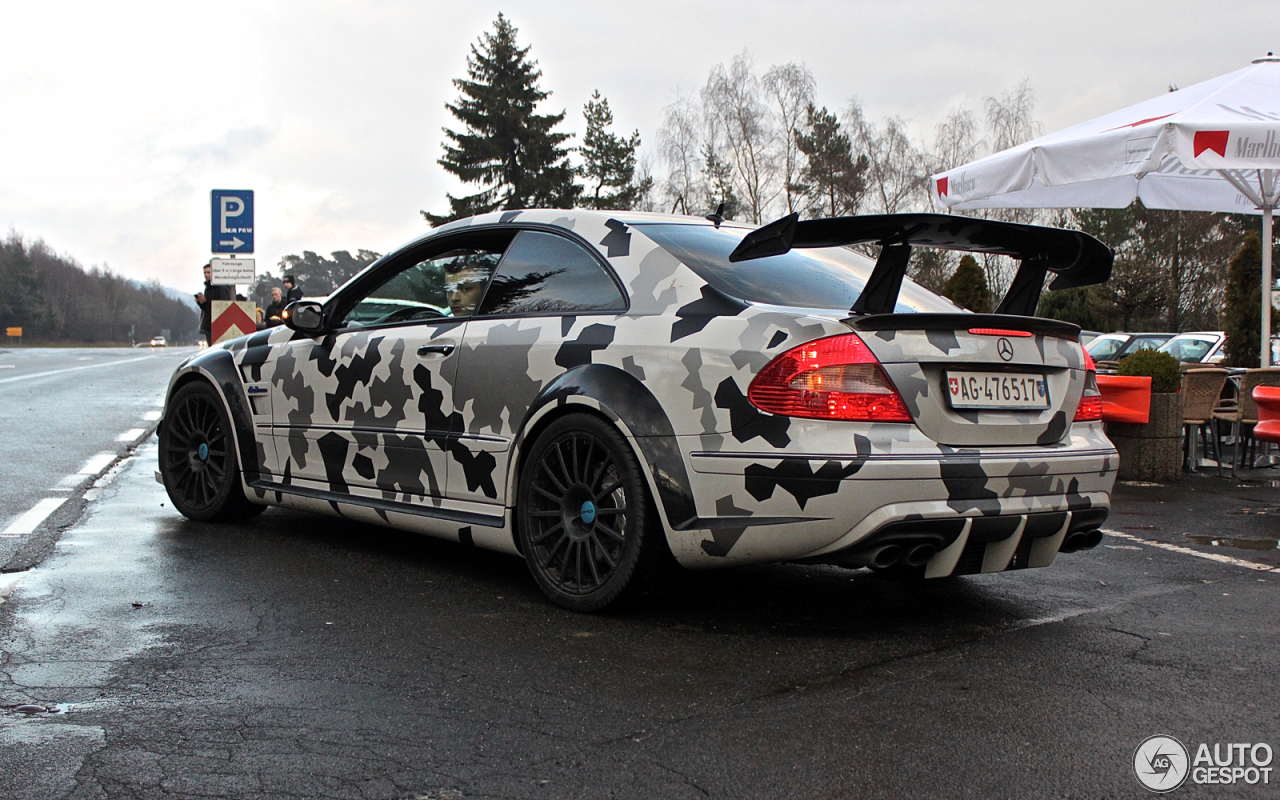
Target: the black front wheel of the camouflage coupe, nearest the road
(198, 458)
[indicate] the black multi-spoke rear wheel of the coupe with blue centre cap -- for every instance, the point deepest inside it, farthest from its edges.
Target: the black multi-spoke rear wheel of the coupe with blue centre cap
(584, 514)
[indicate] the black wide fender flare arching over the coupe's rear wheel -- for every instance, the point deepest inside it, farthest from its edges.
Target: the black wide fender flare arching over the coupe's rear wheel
(638, 414)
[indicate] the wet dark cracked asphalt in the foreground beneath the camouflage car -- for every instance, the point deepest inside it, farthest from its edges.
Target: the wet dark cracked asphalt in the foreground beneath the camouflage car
(307, 657)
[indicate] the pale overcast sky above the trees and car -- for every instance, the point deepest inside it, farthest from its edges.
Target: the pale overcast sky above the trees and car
(121, 117)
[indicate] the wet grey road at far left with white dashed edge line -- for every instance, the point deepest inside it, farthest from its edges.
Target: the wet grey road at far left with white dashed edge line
(66, 414)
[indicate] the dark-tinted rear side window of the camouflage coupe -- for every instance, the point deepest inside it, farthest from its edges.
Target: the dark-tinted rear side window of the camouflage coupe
(545, 273)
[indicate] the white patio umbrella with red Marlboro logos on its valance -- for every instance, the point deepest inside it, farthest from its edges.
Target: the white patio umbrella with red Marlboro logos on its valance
(1214, 147)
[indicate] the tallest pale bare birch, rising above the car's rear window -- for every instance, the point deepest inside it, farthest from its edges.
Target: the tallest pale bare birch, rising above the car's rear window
(744, 132)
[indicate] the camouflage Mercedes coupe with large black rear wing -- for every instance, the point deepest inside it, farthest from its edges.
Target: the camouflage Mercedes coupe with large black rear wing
(601, 392)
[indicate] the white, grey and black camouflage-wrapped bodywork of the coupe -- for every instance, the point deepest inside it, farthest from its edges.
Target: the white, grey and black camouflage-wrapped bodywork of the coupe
(363, 415)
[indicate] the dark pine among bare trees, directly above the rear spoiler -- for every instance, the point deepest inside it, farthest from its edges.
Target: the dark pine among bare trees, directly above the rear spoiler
(833, 180)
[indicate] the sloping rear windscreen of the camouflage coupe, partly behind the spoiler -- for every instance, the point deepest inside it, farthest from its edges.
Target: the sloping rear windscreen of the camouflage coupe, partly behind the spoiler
(810, 278)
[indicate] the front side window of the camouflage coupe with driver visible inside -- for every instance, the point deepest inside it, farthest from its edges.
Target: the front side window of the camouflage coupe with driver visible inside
(445, 285)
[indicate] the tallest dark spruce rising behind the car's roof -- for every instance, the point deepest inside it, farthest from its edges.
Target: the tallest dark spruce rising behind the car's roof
(505, 148)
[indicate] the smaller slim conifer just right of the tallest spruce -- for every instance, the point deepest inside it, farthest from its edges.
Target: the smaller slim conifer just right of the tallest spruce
(609, 162)
